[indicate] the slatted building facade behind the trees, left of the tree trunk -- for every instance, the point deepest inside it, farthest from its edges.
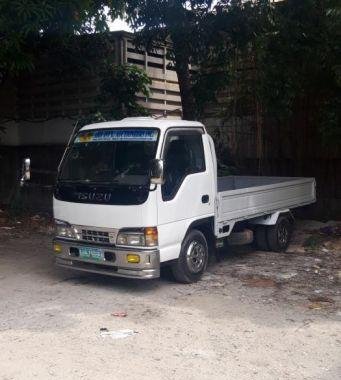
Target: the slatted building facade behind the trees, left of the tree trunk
(41, 107)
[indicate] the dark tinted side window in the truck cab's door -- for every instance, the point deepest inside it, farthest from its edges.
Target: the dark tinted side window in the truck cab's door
(183, 155)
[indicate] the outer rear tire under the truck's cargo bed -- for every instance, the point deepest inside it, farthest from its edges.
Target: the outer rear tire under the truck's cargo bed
(279, 235)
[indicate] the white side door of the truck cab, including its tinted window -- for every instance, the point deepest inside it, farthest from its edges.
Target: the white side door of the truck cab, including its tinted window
(188, 191)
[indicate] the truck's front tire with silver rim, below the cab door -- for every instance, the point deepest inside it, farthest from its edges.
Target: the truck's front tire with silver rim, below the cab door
(193, 258)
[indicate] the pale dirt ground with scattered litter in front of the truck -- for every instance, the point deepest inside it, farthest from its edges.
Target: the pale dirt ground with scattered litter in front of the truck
(255, 315)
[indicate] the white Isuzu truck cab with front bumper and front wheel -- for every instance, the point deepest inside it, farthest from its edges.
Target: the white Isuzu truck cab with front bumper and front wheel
(127, 194)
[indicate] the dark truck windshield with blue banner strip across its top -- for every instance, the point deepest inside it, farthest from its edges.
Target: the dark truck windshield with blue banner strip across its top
(111, 156)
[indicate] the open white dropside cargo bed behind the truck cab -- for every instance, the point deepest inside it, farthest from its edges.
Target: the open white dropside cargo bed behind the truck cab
(247, 197)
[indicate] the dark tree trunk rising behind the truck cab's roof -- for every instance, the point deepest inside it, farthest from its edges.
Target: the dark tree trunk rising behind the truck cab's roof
(182, 60)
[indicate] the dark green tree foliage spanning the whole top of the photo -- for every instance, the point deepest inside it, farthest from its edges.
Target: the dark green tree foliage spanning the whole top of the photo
(293, 45)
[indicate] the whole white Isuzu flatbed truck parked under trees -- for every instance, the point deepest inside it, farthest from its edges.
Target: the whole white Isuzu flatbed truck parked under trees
(136, 194)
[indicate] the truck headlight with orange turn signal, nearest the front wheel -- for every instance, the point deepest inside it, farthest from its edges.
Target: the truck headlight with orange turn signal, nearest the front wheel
(142, 237)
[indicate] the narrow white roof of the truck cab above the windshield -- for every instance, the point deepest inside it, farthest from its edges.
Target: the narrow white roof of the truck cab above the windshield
(136, 122)
